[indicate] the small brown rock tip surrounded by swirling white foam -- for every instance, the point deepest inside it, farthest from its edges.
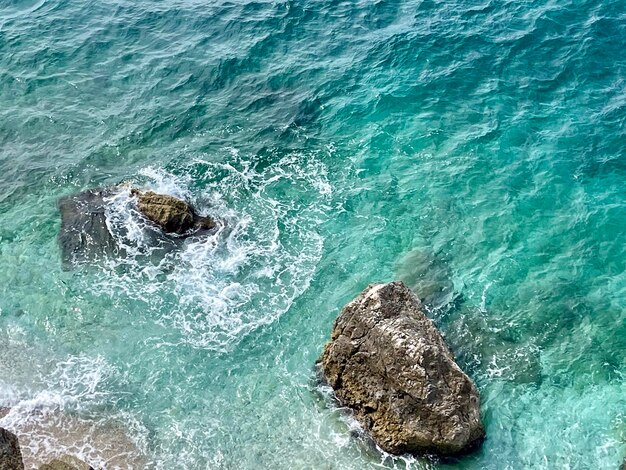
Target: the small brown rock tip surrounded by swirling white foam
(171, 214)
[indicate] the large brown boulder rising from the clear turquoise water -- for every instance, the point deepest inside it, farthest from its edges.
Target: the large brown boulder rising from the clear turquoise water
(388, 363)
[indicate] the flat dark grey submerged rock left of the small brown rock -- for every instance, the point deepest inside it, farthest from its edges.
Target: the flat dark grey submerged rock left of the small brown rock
(84, 234)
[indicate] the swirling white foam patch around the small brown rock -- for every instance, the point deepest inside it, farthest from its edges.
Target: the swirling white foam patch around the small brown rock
(215, 289)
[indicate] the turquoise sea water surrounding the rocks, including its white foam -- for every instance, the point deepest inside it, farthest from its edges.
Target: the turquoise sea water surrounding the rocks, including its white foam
(475, 150)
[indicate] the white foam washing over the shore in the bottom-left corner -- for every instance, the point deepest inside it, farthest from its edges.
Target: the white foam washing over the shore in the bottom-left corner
(58, 418)
